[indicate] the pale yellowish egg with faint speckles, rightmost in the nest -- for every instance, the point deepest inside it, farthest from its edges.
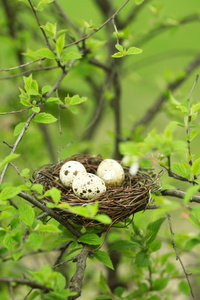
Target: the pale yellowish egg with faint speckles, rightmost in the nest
(111, 172)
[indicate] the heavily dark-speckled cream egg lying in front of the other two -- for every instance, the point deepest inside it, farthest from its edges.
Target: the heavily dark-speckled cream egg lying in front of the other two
(88, 185)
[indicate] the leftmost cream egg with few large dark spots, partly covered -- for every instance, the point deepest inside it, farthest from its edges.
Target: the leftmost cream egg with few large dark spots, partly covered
(69, 171)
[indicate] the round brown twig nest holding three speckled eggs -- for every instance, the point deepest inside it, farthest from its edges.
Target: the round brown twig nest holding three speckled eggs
(119, 203)
